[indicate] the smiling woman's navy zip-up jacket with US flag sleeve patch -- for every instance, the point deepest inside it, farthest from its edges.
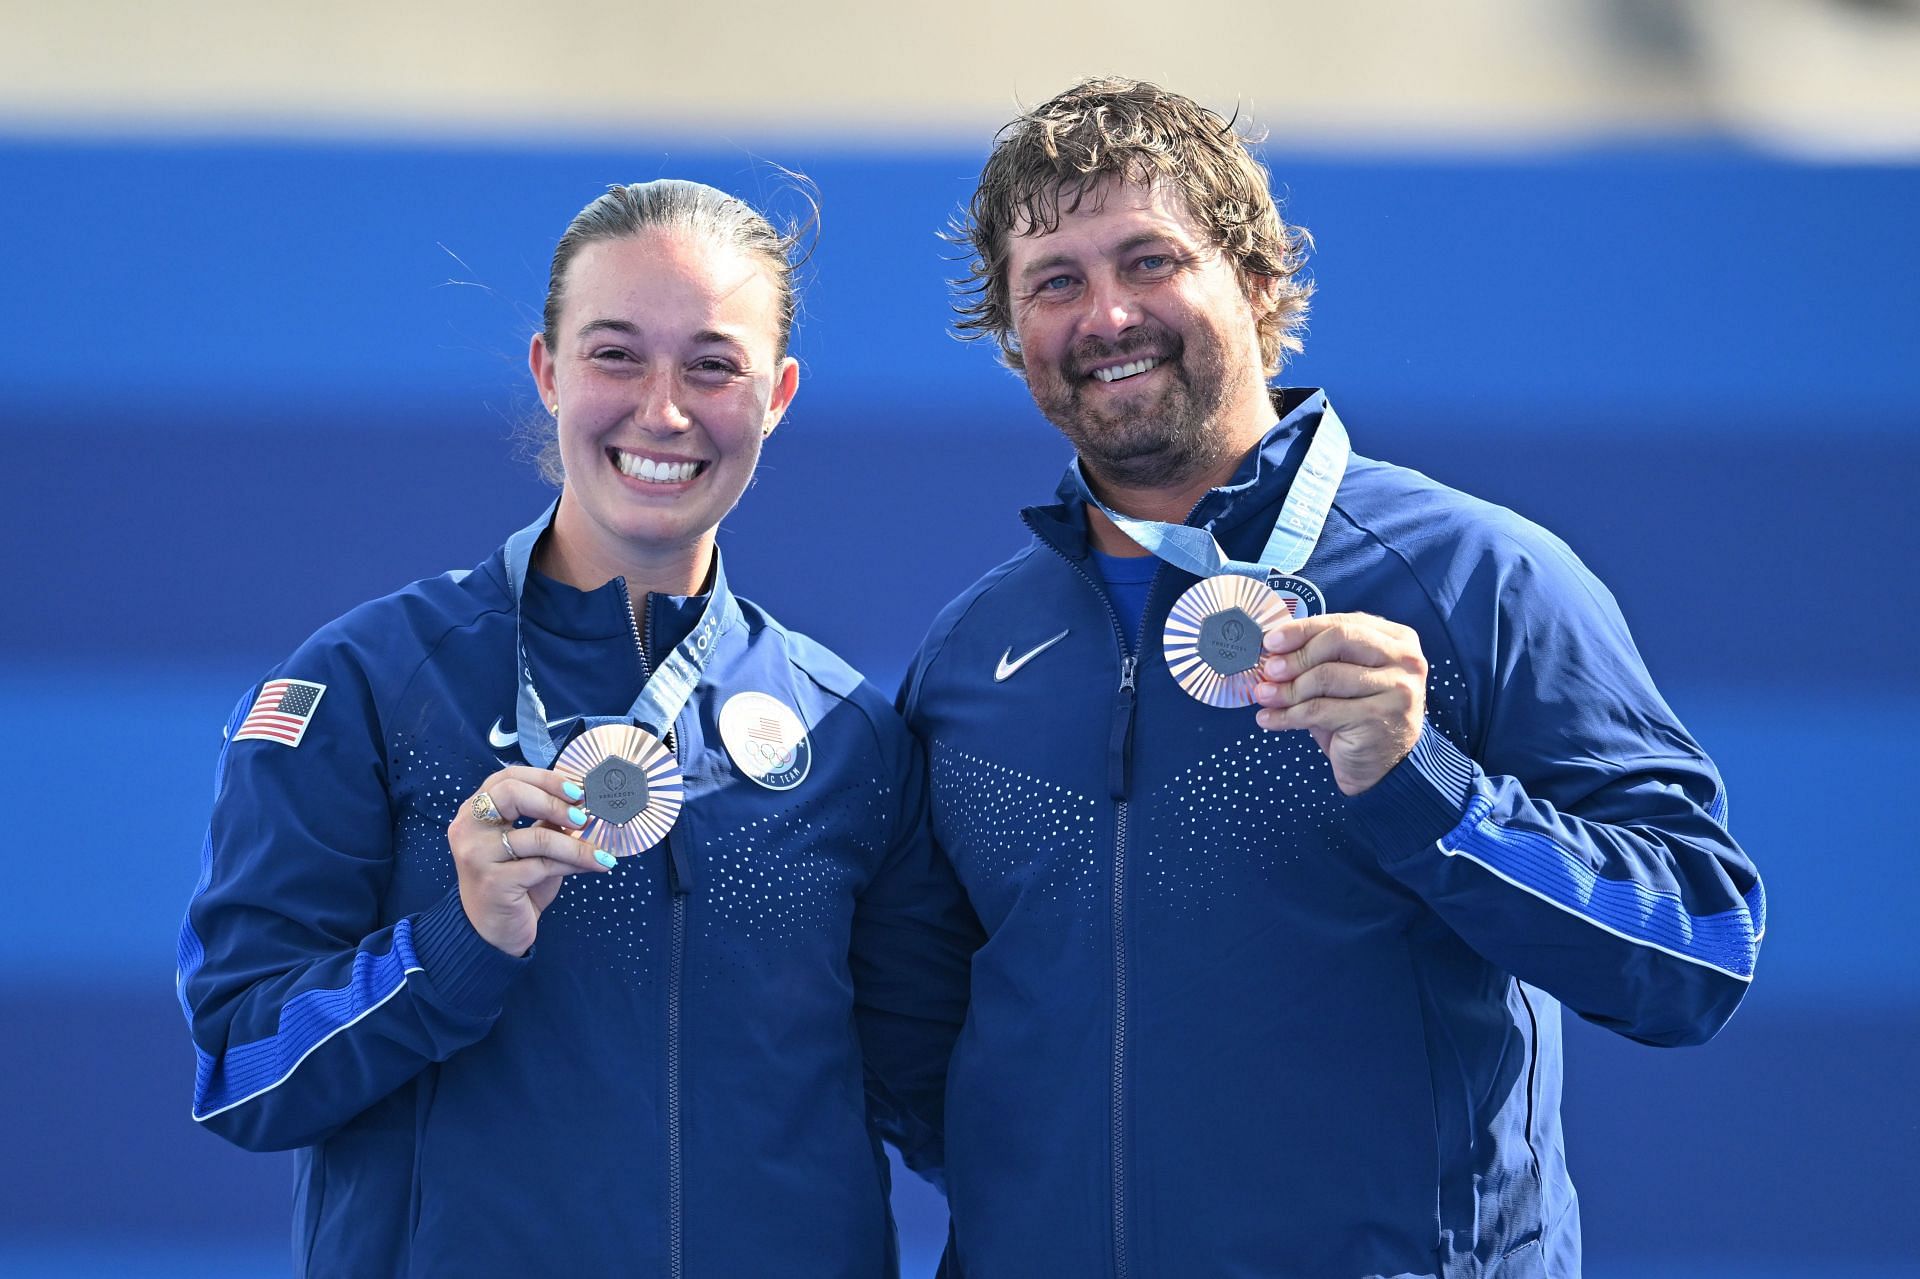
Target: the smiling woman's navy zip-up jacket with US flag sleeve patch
(679, 1078)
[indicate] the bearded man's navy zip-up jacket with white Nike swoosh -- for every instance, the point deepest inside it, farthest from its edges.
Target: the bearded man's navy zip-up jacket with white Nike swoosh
(1230, 1023)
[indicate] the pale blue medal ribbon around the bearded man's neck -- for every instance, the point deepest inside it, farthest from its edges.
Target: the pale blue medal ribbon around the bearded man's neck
(1295, 531)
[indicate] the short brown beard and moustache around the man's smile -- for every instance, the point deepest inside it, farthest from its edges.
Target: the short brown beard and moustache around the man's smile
(1161, 441)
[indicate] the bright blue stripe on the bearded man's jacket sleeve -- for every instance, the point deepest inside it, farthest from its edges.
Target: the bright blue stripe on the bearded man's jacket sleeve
(1531, 861)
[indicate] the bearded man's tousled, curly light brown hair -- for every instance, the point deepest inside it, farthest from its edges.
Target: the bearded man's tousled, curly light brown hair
(1057, 157)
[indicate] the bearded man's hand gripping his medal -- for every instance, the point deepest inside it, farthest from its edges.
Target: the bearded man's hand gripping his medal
(1356, 683)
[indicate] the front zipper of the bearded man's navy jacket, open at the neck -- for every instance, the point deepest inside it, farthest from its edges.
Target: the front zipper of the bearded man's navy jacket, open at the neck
(1120, 783)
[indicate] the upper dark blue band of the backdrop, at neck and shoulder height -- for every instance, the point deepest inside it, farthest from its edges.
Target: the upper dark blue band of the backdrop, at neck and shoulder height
(1702, 543)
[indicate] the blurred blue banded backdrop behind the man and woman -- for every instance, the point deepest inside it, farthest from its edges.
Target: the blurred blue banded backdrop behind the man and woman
(256, 375)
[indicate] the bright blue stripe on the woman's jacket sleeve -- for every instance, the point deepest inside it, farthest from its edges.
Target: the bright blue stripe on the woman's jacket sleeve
(306, 1023)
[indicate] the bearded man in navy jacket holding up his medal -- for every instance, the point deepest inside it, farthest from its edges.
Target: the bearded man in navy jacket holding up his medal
(1295, 792)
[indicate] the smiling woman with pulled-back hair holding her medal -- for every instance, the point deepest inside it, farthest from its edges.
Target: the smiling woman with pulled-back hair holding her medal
(571, 915)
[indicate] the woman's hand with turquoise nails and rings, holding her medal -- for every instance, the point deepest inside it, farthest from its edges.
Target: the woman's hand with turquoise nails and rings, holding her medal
(514, 873)
